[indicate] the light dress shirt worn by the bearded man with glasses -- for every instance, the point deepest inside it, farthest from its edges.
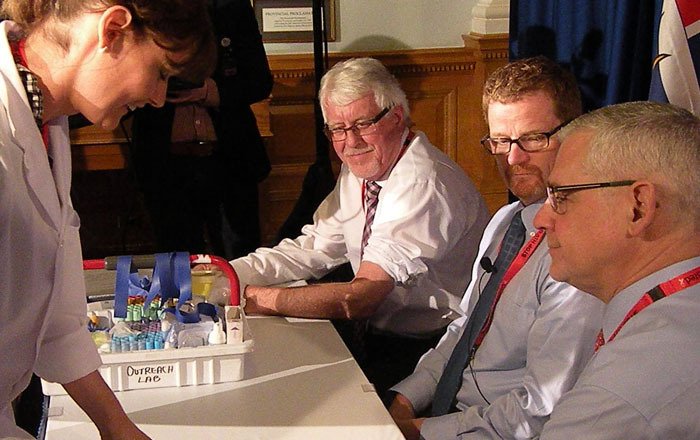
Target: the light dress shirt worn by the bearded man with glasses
(541, 337)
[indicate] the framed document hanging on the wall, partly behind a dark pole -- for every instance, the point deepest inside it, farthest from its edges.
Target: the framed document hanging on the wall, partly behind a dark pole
(291, 21)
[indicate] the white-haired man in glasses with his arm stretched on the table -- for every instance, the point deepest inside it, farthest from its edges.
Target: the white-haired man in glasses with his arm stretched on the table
(402, 213)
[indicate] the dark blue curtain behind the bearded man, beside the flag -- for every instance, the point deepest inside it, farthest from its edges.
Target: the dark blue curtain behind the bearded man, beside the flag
(608, 44)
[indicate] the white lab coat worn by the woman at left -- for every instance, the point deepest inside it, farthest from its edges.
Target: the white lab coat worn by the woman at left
(42, 291)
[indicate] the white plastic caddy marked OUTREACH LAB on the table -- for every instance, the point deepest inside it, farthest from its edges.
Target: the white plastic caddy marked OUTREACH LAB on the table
(177, 366)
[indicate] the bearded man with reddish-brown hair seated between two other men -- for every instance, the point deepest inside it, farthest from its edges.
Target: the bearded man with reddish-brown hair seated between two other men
(543, 331)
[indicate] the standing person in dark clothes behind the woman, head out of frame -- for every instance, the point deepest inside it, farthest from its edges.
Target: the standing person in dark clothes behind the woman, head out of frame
(199, 159)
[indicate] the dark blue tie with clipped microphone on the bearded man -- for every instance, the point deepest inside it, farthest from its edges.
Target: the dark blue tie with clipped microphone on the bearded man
(451, 378)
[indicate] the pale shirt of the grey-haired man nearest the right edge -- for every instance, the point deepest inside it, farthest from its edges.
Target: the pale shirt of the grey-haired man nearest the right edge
(645, 383)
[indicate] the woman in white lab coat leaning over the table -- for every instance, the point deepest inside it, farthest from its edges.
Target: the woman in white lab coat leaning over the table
(99, 58)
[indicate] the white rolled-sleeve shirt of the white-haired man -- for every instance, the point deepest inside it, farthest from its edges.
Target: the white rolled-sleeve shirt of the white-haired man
(425, 234)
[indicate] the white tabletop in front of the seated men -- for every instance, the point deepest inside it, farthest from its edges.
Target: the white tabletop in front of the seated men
(300, 382)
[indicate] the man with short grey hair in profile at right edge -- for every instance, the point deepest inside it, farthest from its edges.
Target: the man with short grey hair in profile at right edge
(623, 223)
